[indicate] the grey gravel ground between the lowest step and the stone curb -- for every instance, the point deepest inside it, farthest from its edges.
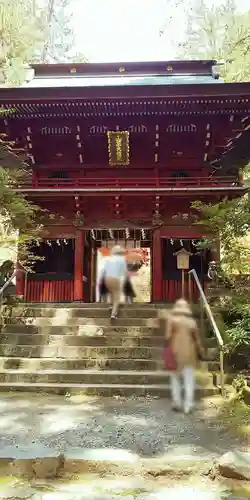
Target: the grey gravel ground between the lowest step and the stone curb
(146, 426)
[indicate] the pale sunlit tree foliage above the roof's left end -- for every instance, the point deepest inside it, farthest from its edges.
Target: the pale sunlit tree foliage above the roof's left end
(34, 31)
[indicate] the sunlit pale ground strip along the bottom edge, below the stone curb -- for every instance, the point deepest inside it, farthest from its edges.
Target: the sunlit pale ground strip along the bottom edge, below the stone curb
(120, 488)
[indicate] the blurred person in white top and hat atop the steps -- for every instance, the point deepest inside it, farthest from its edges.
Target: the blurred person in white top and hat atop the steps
(113, 274)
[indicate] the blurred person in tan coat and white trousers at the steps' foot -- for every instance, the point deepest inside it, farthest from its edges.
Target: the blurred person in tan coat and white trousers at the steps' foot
(184, 338)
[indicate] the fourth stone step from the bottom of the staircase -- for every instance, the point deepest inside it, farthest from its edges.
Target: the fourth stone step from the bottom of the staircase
(88, 351)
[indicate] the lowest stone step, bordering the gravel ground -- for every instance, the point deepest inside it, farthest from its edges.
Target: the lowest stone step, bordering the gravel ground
(125, 390)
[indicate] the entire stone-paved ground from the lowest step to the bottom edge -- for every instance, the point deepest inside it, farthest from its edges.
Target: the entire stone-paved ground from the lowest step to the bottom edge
(162, 454)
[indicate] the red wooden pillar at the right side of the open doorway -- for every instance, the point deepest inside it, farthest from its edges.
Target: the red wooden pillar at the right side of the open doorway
(156, 267)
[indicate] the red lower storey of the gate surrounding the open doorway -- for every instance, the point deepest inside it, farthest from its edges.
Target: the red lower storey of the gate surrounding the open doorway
(69, 270)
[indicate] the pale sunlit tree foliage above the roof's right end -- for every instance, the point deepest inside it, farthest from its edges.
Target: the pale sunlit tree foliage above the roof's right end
(219, 32)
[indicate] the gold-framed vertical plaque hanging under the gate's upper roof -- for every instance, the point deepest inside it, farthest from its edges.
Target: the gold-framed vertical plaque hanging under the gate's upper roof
(118, 147)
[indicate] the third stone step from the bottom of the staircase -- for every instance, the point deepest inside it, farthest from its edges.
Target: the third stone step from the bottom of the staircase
(32, 364)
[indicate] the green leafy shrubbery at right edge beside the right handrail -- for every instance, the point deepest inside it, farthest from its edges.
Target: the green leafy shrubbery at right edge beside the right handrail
(229, 222)
